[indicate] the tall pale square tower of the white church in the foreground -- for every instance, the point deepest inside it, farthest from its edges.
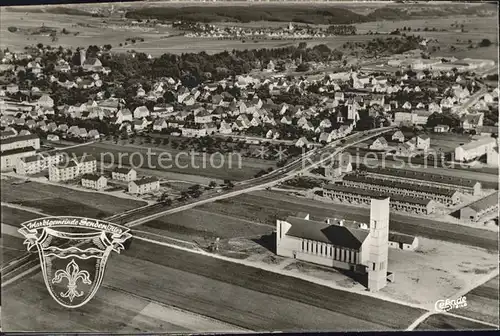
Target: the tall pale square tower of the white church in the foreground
(379, 243)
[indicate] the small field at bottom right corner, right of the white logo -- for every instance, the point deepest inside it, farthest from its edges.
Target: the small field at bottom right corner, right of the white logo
(482, 303)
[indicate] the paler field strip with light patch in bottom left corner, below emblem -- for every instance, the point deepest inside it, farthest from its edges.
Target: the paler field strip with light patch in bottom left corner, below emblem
(111, 310)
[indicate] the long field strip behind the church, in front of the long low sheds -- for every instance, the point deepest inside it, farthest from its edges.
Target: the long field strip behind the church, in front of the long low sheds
(273, 205)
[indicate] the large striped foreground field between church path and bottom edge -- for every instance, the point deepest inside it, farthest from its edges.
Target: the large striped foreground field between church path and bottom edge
(238, 295)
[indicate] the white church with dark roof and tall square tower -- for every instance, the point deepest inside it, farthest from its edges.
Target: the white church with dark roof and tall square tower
(358, 248)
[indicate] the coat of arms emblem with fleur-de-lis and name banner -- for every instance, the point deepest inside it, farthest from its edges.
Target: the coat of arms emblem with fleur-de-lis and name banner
(73, 253)
